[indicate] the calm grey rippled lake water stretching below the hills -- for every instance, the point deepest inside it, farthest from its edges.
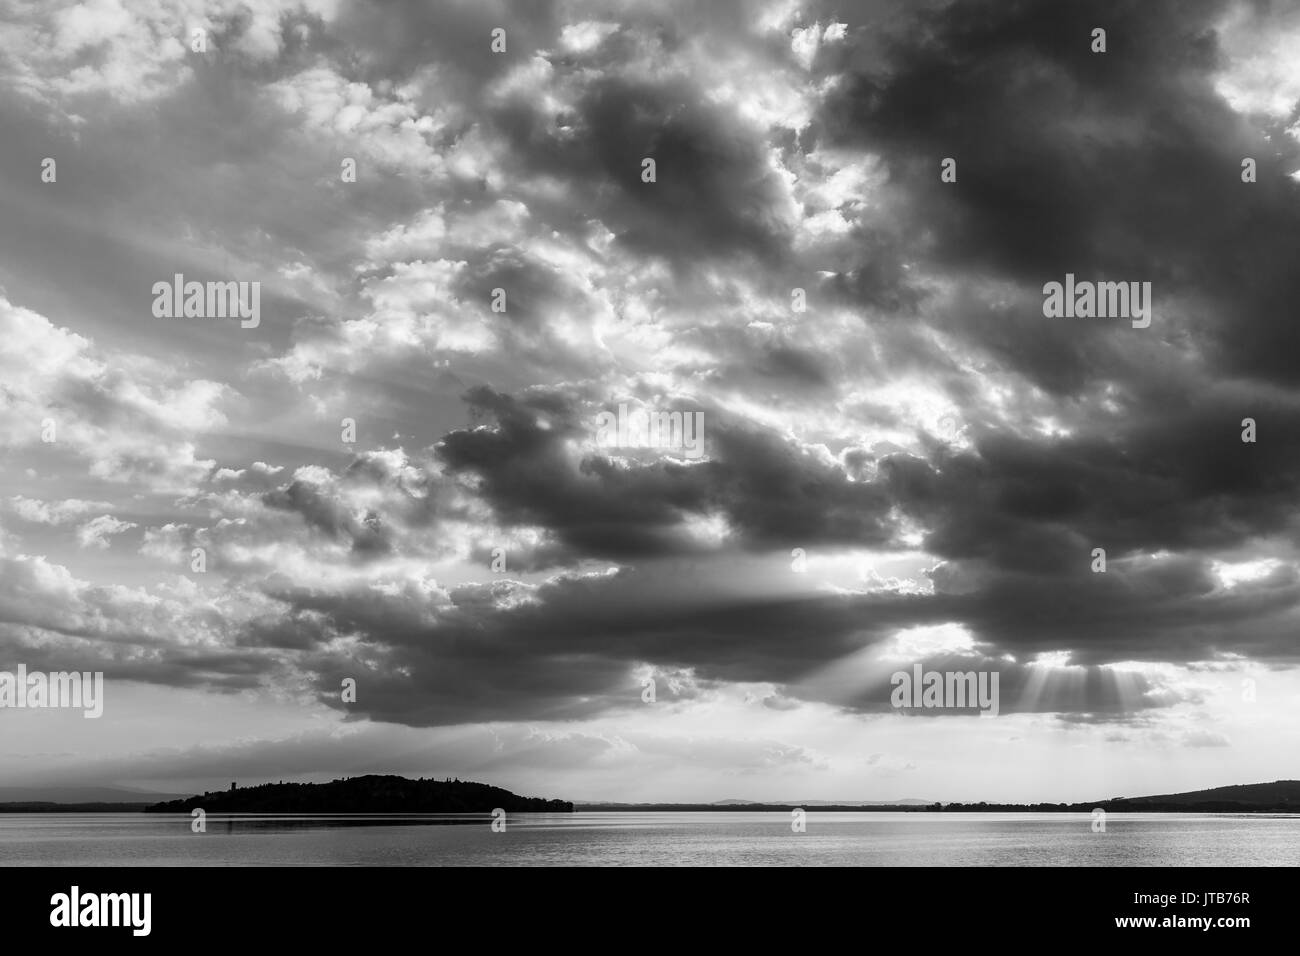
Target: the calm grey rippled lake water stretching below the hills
(642, 840)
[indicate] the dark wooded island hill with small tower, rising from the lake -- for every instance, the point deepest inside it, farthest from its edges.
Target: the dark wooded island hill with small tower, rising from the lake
(371, 794)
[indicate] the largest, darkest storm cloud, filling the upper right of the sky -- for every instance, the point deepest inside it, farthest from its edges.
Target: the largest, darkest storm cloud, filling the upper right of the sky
(1124, 165)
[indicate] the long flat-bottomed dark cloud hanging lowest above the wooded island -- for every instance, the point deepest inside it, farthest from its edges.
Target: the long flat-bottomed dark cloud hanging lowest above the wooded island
(566, 651)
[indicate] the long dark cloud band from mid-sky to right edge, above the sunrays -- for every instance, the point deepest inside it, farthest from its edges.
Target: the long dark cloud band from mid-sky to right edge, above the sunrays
(1026, 504)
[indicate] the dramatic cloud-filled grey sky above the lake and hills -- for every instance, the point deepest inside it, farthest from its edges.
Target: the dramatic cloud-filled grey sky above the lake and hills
(382, 531)
